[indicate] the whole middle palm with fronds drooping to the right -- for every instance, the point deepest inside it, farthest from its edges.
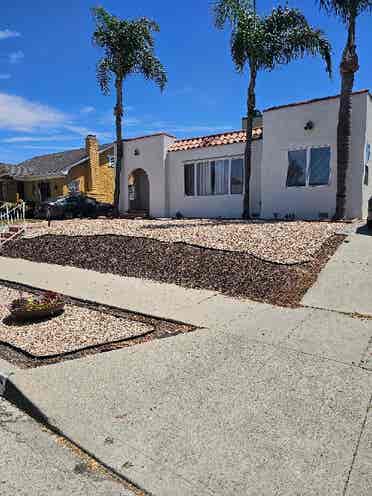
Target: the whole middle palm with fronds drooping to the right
(263, 43)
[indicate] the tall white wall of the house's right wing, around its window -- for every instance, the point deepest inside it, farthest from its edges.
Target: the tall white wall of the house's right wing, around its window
(284, 131)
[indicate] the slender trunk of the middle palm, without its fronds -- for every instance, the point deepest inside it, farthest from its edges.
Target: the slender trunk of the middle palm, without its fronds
(251, 105)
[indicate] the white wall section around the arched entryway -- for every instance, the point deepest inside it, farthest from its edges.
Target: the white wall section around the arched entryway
(151, 158)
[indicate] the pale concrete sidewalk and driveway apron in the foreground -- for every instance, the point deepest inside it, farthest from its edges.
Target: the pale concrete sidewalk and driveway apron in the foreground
(261, 401)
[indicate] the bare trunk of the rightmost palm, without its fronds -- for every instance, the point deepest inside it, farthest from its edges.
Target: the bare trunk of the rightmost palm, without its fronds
(349, 66)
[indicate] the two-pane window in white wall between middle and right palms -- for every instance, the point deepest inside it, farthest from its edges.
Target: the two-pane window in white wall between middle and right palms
(309, 167)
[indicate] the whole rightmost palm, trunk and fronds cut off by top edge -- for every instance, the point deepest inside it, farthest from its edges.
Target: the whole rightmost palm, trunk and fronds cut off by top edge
(348, 11)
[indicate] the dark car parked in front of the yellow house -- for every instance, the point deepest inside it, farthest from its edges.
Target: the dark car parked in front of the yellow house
(71, 206)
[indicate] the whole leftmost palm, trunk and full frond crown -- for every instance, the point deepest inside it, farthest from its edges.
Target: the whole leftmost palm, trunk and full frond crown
(128, 49)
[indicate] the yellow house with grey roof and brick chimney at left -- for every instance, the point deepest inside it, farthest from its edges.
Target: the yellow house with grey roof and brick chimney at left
(89, 170)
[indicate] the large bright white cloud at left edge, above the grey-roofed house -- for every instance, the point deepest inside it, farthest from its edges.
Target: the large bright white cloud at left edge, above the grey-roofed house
(19, 114)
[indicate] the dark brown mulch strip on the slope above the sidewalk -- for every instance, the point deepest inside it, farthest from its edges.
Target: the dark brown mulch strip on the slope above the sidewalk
(231, 273)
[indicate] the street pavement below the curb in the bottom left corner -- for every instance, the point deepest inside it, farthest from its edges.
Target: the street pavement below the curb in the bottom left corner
(35, 462)
